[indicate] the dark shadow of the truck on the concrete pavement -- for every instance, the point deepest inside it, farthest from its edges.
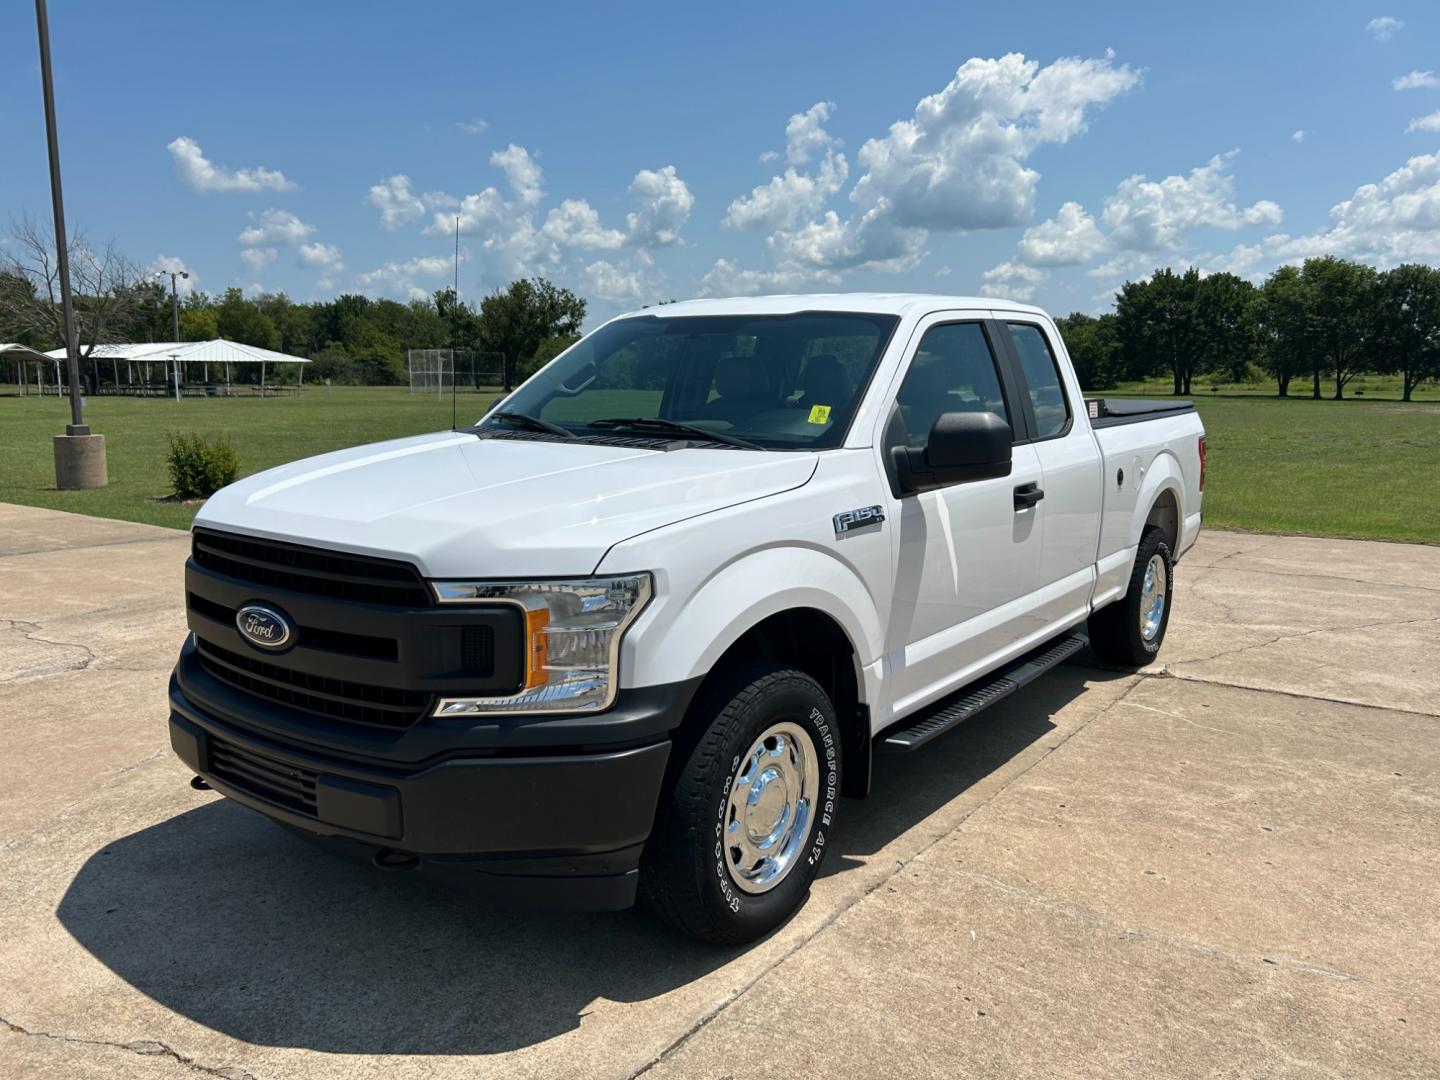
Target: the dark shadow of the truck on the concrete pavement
(237, 925)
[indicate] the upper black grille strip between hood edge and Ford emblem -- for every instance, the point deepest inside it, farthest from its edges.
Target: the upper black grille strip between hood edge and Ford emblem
(274, 565)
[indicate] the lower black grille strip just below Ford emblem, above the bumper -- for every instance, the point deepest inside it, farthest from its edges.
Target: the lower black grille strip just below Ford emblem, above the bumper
(332, 698)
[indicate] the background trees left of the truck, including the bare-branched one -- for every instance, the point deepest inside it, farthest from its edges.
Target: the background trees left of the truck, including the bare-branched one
(351, 339)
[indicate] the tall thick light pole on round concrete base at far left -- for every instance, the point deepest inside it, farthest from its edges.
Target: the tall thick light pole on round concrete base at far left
(80, 457)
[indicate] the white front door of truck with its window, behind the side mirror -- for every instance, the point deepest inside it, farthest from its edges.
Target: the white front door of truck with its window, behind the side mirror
(966, 555)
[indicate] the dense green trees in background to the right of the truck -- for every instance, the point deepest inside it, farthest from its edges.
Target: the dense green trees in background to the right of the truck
(1324, 322)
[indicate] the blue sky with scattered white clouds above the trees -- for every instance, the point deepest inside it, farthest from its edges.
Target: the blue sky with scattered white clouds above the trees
(643, 153)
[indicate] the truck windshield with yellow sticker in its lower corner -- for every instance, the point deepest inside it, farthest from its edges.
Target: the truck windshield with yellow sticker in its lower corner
(778, 382)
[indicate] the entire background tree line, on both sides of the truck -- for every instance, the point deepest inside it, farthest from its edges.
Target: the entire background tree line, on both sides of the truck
(1327, 320)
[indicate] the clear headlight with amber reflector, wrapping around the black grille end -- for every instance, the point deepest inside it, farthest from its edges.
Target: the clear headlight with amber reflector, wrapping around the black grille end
(572, 643)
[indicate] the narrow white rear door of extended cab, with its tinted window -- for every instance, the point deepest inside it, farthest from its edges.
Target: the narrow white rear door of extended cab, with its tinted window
(1071, 466)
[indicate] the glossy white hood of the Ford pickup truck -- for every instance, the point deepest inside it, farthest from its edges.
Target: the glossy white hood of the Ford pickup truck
(464, 508)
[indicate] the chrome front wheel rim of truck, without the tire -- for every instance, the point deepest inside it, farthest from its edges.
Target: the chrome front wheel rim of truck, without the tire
(770, 810)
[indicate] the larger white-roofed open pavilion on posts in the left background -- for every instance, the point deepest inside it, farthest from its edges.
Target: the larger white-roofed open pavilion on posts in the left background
(176, 359)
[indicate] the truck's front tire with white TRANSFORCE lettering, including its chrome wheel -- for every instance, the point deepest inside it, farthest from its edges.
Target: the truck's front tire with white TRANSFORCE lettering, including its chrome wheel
(703, 870)
